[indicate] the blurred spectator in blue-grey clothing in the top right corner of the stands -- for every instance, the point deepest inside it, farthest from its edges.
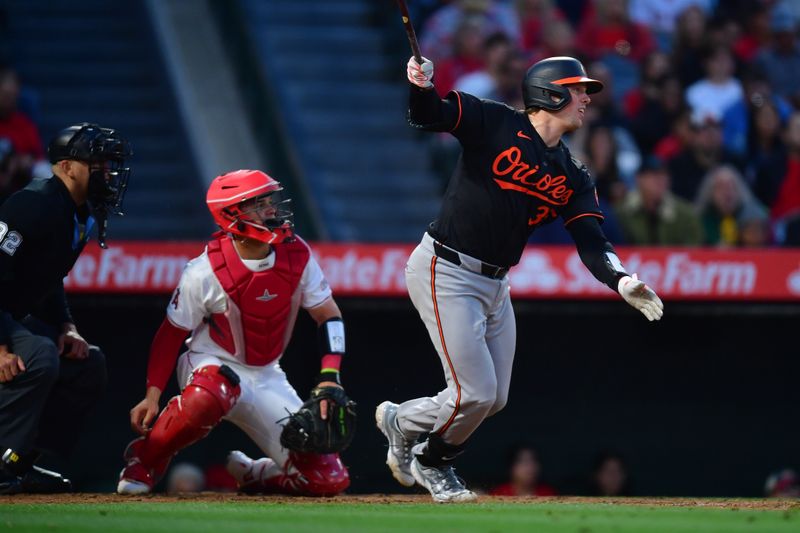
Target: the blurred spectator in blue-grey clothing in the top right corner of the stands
(781, 60)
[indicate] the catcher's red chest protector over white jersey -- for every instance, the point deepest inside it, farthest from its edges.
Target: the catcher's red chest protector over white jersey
(261, 305)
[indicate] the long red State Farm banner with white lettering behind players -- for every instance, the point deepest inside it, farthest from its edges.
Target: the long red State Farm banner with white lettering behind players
(544, 272)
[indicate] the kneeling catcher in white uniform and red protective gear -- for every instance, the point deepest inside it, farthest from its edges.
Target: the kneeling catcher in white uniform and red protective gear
(239, 301)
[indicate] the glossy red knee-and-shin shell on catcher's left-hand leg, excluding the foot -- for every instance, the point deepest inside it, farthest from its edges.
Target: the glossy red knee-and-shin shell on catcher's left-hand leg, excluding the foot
(211, 393)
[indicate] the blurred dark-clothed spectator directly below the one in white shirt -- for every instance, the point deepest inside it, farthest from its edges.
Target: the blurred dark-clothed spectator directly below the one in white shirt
(703, 152)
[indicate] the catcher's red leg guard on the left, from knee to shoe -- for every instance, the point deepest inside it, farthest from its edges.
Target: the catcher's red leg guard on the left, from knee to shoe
(211, 393)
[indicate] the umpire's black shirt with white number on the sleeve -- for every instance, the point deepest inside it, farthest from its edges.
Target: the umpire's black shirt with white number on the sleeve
(42, 233)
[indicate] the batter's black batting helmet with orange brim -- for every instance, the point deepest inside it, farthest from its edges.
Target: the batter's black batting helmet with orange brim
(549, 77)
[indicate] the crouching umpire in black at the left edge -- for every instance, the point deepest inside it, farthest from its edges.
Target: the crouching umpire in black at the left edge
(49, 375)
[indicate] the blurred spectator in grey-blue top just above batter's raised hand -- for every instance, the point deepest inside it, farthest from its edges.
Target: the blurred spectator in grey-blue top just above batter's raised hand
(436, 37)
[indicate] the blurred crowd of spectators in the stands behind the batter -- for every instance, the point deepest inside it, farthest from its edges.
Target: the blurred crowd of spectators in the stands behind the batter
(696, 139)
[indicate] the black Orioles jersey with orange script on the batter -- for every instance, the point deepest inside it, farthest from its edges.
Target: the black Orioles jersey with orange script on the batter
(507, 182)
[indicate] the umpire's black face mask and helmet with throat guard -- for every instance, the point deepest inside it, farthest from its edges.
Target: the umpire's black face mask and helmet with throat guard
(105, 153)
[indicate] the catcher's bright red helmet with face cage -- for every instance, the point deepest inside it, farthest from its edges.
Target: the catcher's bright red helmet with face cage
(249, 203)
